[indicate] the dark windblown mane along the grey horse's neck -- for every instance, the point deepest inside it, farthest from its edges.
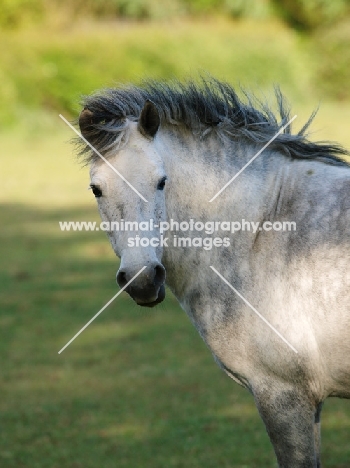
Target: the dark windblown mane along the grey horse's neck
(202, 108)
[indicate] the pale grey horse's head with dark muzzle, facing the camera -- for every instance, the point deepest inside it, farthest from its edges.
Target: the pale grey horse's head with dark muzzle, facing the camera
(142, 167)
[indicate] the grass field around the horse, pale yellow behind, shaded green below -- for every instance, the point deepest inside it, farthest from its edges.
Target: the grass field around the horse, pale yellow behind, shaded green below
(138, 388)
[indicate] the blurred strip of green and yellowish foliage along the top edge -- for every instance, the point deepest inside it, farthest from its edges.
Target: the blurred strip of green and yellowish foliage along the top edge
(304, 14)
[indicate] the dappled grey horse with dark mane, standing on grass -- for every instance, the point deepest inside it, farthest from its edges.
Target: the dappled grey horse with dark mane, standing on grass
(173, 147)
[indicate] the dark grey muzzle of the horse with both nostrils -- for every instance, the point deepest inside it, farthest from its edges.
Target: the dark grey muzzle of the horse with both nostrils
(148, 288)
